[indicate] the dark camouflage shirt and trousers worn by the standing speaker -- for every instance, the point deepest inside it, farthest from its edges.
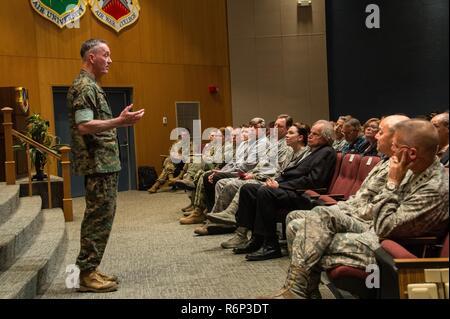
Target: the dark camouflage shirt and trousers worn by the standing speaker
(96, 156)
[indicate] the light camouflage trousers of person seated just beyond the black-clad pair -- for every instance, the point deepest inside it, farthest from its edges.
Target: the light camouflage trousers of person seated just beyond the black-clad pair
(227, 194)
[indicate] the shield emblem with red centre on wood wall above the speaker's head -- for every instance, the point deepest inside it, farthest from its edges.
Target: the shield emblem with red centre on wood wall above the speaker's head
(117, 14)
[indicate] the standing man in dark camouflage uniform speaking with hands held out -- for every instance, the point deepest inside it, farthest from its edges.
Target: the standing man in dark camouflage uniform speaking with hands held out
(96, 156)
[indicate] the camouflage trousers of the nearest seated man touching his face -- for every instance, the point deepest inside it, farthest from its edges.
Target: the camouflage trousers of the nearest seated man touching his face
(326, 237)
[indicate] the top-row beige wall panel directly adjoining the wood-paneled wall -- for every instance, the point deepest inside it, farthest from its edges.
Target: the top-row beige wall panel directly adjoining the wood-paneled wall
(242, 13)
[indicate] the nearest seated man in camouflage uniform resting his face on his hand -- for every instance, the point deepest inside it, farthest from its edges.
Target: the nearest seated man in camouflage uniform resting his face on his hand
(412, 202)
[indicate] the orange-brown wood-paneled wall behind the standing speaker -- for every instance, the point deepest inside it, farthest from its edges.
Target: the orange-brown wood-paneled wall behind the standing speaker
(174, 51)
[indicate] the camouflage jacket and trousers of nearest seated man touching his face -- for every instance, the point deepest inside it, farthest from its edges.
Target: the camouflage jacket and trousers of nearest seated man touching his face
(331, 236)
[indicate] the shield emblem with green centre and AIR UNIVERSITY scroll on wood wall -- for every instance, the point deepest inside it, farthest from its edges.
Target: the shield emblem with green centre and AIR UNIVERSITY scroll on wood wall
(60, 12)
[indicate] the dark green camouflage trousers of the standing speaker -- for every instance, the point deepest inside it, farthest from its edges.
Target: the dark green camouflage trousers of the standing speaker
(101, 193)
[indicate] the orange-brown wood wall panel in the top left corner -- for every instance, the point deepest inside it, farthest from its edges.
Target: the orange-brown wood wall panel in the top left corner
(17, 29)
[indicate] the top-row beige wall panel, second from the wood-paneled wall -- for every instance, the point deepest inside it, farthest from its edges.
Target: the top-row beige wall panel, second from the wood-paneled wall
(267, 18)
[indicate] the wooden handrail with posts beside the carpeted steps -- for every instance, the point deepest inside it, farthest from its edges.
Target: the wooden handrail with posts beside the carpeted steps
(10, 165)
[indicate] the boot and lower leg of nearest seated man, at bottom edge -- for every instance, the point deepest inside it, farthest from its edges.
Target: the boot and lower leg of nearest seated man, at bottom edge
(295, 286)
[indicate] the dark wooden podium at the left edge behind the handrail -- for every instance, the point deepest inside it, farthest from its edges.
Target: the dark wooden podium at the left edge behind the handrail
(17, 99)
